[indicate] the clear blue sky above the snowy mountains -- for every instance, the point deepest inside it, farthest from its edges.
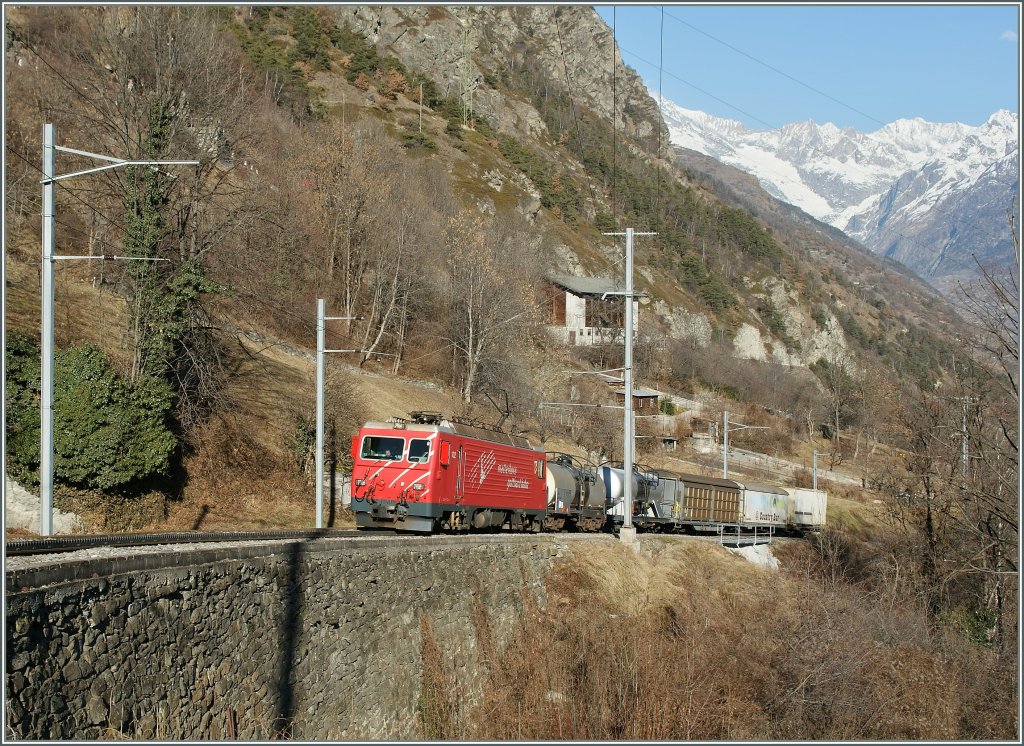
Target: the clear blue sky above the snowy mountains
(855, 66)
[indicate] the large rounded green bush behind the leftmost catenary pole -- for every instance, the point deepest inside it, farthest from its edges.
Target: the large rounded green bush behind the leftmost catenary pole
(109, 434)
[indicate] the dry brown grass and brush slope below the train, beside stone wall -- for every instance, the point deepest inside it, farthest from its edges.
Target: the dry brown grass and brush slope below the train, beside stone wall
(691, 643)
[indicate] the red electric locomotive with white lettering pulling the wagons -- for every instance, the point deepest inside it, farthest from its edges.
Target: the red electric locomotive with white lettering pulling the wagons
(431, 473)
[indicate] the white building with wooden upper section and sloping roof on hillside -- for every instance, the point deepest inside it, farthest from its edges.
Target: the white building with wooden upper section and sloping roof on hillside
(580, 317)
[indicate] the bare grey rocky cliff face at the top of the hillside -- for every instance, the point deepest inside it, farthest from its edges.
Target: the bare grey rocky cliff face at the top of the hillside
(572, 45)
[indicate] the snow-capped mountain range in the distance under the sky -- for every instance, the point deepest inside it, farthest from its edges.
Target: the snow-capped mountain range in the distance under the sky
(931, 196)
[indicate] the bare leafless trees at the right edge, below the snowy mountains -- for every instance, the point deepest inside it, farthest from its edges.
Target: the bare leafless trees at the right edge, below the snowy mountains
(959, 492)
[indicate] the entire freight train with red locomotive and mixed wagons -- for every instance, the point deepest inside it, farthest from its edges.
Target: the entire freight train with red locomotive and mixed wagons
(430, 474)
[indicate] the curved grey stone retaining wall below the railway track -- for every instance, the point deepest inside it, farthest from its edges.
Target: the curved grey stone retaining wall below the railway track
(314, 640)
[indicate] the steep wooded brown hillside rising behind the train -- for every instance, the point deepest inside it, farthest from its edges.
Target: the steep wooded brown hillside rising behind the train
(422, 171)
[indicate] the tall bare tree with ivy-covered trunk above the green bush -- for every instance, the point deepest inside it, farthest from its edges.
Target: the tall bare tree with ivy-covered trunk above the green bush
(157, 83)
